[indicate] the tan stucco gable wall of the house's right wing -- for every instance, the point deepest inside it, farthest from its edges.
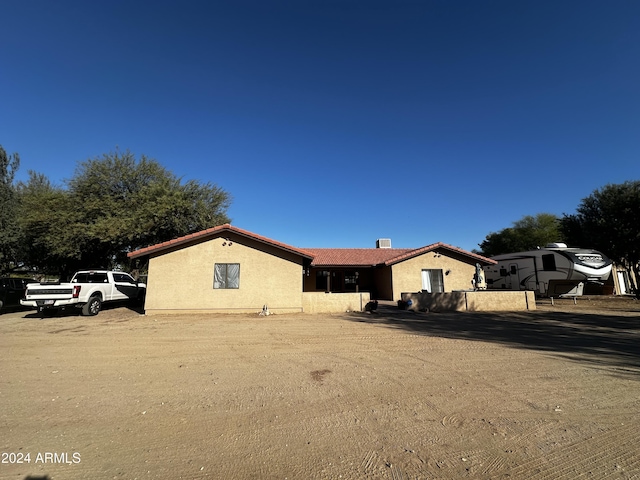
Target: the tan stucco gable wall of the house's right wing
(407, 275)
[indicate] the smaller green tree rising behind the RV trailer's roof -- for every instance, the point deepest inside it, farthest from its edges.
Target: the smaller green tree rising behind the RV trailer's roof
(527, 233)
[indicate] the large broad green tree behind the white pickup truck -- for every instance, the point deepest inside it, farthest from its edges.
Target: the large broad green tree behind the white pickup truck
(112, 205)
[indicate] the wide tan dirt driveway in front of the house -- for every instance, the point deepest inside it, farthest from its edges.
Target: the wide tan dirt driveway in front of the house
(550, 394)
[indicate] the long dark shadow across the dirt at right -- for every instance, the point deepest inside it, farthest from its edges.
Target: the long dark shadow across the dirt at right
(600, 339)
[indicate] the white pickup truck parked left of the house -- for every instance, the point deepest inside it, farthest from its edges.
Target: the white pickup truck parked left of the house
(88, 290)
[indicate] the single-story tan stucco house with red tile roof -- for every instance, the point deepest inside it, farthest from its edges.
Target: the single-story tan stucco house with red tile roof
(228, 269)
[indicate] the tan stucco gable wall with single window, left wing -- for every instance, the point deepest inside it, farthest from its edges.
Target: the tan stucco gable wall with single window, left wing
(182, 280)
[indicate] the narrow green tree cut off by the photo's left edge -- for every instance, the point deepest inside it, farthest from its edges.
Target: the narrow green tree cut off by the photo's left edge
(9, 232)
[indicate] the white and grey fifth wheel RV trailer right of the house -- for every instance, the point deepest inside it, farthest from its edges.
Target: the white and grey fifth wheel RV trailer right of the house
(555, 270)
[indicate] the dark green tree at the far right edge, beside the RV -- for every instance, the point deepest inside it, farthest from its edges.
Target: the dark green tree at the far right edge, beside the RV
(609, 220)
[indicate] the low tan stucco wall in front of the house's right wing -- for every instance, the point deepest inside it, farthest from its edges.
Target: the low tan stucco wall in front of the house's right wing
(477, 301)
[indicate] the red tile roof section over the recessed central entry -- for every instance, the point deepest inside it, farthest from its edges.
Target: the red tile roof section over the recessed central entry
(361, 257)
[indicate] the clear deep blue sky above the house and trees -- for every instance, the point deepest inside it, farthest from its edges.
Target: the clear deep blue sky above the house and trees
(334, 123)
